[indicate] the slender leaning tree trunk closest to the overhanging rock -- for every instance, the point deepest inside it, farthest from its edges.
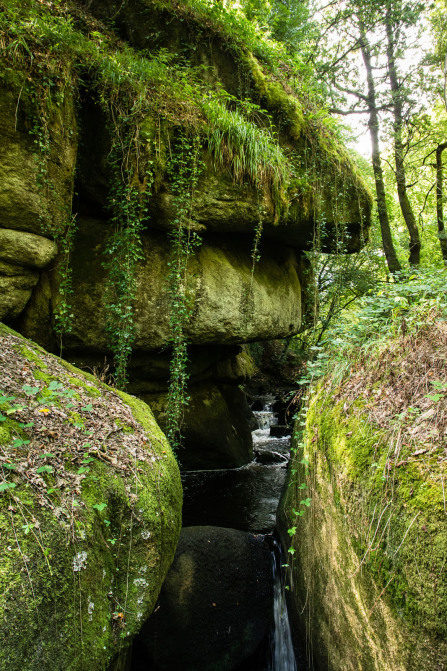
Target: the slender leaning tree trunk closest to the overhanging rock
(373, 125)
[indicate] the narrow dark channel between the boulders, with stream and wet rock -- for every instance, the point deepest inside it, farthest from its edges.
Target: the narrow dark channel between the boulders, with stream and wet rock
(223, 603)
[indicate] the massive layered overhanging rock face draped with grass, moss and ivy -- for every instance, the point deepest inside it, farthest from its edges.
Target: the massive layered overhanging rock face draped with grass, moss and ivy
(238, 188)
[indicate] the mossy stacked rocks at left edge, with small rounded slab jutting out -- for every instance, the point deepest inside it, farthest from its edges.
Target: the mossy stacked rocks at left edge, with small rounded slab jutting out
(29, 211)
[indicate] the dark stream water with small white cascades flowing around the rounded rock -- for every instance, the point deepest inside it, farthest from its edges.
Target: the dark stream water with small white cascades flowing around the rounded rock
(246, 499)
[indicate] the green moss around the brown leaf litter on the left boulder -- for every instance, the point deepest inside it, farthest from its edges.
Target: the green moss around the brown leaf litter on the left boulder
(64, 576)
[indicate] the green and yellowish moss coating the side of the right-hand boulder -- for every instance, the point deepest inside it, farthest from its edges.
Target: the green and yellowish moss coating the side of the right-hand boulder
(378, 546)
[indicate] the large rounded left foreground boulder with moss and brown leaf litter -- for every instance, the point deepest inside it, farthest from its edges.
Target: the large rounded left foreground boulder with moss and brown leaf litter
(90, 502)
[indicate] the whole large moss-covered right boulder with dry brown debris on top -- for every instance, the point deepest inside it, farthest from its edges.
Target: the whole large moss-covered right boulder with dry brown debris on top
(366, 510)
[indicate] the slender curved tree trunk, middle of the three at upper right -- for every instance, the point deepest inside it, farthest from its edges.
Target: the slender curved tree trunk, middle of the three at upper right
(405, 205)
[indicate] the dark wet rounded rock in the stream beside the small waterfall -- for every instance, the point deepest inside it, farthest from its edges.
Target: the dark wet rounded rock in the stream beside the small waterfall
(215, 607)
